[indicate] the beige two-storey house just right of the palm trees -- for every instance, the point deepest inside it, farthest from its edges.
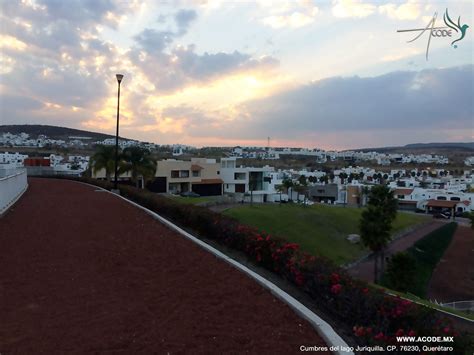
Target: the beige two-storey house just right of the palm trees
(199, 175)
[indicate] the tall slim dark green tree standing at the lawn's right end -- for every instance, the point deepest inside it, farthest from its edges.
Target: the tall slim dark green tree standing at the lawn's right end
(376, 223)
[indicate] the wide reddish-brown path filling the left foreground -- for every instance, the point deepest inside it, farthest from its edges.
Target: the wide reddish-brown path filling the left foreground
(84, 272)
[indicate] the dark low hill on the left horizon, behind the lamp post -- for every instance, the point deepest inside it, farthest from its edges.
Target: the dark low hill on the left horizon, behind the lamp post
(53, 132)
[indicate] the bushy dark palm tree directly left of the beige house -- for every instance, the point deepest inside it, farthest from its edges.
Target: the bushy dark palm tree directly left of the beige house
(139, 163)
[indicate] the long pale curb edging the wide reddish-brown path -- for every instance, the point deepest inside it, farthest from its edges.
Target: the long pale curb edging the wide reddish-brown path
(322, 327)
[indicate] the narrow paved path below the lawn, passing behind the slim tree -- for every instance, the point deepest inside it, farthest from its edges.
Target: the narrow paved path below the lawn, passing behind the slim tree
(365, 269)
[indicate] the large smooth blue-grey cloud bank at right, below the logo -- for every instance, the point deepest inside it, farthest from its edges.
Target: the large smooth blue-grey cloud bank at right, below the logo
(430, 98)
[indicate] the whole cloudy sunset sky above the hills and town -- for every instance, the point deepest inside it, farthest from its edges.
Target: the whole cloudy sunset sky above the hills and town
(317, 74)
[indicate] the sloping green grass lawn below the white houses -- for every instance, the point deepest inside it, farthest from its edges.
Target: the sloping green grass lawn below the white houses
(318, 229)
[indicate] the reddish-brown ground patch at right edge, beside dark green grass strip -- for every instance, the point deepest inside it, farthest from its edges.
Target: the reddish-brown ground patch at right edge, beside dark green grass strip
(453, 278)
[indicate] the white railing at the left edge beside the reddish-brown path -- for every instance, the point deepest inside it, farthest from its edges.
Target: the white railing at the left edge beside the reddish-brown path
(13, 184)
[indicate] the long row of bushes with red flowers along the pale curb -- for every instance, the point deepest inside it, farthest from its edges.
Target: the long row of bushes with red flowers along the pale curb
(373, 316)
